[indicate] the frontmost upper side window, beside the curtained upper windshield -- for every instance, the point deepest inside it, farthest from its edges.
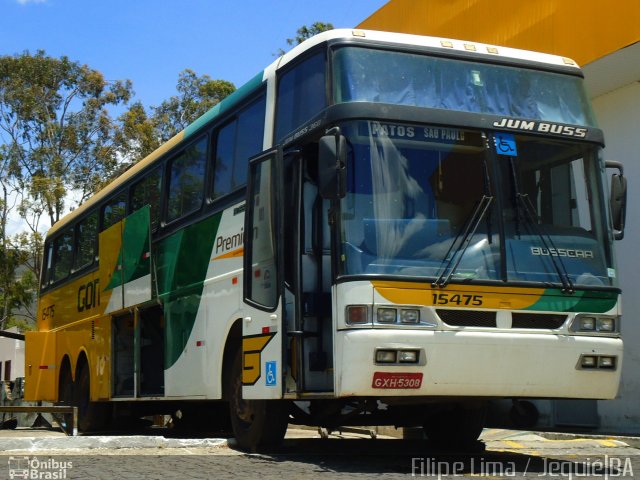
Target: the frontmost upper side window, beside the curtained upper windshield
(301, 94)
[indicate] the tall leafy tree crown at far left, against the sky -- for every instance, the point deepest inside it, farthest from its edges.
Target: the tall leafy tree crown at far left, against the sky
(56, 129)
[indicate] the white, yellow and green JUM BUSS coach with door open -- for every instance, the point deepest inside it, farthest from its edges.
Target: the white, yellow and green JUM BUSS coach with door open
(378, 229)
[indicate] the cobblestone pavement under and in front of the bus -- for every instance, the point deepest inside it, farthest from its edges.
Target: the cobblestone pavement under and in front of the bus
(500, 454)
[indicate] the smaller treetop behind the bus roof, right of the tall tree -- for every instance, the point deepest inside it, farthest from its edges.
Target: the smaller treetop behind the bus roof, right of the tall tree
(142, 133)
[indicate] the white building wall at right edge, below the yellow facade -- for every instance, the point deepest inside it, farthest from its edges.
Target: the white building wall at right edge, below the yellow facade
(618, 114)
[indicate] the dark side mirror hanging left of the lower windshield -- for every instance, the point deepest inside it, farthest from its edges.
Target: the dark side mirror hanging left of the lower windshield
(332, 153)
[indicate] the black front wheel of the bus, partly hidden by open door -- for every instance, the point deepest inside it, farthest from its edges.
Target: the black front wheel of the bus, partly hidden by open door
(255, 423)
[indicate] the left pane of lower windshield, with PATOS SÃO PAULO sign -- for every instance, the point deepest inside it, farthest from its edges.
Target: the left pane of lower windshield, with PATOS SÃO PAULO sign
(412, 190)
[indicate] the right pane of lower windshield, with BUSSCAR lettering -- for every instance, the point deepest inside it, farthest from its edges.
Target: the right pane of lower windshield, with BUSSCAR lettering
(554, 212)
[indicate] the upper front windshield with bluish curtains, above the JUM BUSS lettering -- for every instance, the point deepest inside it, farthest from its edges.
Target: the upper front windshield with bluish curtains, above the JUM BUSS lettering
(401, 78)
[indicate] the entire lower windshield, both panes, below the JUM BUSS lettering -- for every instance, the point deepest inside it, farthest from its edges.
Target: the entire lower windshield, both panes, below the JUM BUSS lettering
(413, 194)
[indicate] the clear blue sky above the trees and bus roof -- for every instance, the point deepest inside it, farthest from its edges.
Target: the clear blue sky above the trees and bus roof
(151, 42)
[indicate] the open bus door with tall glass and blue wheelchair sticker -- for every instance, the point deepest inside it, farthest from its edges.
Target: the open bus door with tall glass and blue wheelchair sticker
(262, 325)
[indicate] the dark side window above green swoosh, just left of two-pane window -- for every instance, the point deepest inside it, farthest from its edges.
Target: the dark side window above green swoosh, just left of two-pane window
(186, 181)
